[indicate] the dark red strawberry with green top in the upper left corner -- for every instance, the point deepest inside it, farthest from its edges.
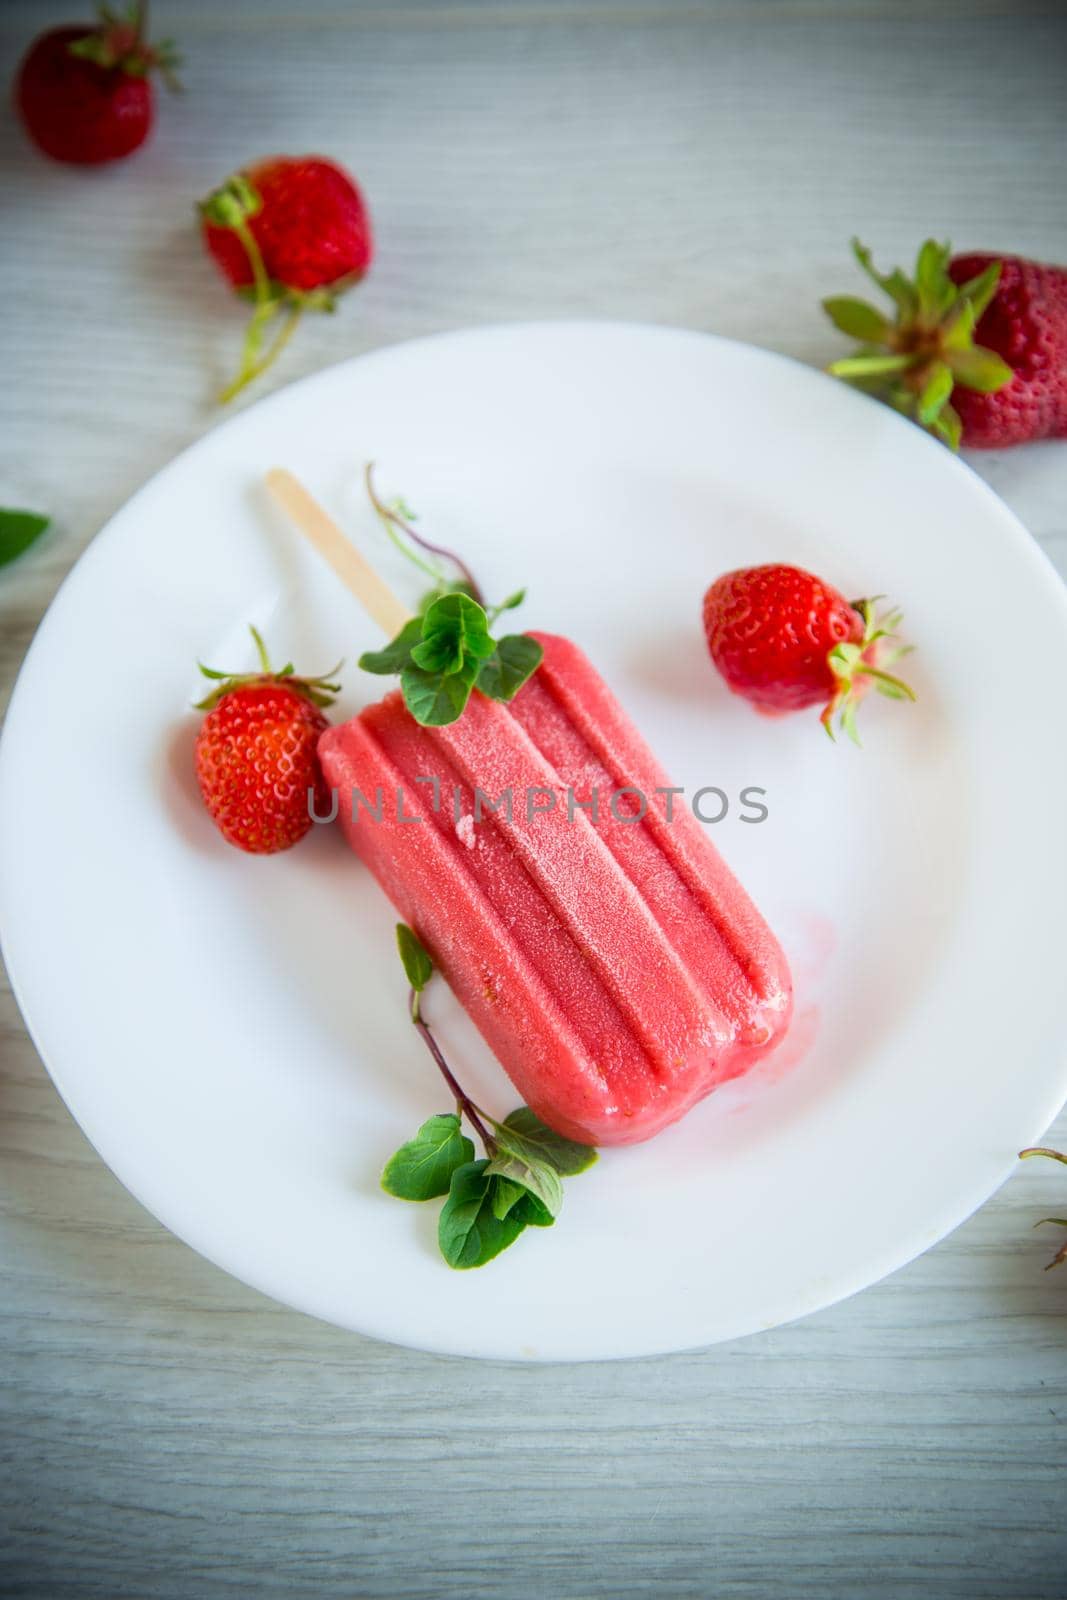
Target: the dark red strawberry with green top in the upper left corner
(86, 95)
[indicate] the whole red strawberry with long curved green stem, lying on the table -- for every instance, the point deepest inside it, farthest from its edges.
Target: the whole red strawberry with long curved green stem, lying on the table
(290, 234)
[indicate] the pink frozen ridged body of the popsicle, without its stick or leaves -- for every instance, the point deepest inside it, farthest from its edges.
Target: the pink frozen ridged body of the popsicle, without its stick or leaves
(612, 962)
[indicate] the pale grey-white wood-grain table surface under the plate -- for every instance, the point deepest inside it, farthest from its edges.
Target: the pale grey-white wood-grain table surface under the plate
(167, 1431)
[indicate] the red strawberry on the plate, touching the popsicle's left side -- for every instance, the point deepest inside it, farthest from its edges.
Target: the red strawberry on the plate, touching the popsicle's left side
(257, 759)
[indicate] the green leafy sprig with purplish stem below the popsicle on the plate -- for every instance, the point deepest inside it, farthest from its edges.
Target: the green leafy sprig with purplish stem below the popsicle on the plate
(492, 1201)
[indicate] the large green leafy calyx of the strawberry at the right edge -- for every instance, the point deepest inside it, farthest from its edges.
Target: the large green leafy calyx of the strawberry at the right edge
(914, 358)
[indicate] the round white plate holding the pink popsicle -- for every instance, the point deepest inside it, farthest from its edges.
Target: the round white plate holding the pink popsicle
(231, 1031)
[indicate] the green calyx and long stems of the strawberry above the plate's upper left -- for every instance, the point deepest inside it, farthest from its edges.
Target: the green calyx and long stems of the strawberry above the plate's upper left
(233, 206)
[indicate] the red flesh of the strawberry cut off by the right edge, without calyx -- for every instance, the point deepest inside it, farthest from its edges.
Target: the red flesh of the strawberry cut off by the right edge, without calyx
(1026, 324)
